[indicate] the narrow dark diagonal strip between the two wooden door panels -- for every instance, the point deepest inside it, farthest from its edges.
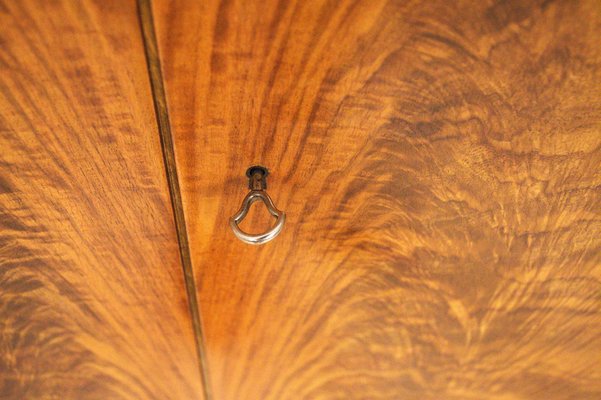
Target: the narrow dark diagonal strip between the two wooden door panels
(164, 127)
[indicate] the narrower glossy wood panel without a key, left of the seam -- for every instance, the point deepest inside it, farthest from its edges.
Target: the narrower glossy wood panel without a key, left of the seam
(92, 298)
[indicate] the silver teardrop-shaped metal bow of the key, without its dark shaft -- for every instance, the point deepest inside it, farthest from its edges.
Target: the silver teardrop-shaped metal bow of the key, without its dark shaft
(251, 197)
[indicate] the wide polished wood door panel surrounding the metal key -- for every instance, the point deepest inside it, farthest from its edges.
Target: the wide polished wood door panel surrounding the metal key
(439, 165)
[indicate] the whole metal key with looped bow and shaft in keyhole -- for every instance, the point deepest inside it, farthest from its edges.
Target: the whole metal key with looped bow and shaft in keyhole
(257, 184)
